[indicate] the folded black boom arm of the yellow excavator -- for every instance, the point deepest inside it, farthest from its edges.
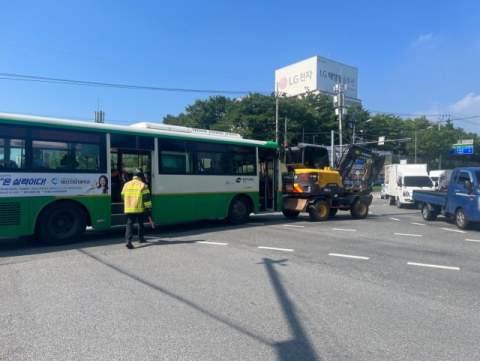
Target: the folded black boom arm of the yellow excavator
(373, 169)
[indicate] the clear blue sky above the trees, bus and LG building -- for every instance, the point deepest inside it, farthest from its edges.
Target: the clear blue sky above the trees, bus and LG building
(413, 57)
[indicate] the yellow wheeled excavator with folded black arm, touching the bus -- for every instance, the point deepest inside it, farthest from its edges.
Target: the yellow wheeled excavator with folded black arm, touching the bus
(310, 185)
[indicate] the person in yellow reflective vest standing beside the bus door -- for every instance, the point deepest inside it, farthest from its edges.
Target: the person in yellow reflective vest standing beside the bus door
(138, 205)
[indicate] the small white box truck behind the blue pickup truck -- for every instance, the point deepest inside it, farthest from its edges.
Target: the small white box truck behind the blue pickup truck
(402, 179)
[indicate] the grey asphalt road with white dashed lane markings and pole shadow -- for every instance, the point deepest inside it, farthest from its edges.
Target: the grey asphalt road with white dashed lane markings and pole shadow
(390, 287)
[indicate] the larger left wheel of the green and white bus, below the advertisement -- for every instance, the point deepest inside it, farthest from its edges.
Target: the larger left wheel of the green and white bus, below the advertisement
(62, 223)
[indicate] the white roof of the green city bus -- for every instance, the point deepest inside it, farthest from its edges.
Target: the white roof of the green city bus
(143, 129)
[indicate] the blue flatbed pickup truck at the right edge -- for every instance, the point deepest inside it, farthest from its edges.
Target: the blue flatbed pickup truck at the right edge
(461, 200)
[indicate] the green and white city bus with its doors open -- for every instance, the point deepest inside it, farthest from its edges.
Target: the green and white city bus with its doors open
(56, 176)
